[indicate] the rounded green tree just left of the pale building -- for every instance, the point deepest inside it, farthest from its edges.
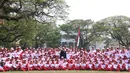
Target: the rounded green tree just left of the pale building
(47, 33)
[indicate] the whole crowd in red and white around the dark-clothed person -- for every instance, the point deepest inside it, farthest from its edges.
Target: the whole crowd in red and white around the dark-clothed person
(76, 59)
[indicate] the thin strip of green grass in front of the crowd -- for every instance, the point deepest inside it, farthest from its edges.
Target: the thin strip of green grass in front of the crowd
(74, 71)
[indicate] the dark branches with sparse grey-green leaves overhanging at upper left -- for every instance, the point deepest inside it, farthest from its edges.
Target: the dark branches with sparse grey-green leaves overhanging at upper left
(42, 10)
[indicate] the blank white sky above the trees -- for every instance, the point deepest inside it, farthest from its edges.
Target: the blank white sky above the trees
(97, 9)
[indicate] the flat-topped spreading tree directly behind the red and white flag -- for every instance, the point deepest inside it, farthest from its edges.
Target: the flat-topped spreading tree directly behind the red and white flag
(88, 33)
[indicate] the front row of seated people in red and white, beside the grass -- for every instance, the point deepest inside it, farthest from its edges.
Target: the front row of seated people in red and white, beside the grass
(65, 64)
